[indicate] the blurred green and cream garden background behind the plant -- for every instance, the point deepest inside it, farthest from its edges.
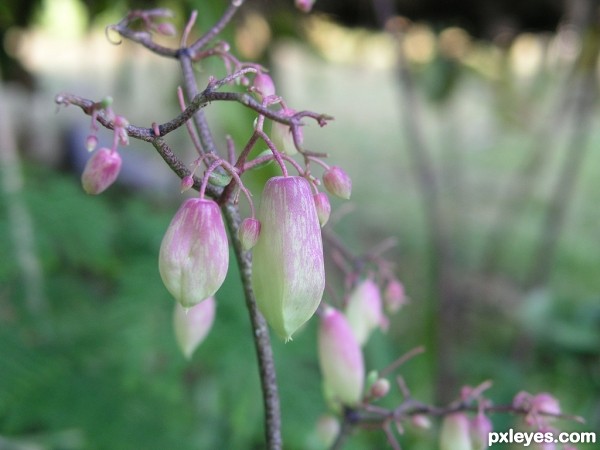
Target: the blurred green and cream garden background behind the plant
(470, 130)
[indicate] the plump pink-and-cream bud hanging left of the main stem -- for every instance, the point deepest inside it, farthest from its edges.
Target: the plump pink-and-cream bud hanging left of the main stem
(194, 253)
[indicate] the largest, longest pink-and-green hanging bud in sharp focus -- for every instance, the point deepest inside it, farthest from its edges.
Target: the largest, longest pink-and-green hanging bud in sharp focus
(289, 272)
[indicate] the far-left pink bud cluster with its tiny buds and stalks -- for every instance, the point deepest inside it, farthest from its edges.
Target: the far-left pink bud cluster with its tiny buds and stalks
(103, 167)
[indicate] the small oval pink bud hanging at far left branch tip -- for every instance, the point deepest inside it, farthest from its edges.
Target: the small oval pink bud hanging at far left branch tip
(100, 171)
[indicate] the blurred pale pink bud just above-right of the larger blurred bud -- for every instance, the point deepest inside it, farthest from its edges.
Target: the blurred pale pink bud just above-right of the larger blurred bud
(364, 310)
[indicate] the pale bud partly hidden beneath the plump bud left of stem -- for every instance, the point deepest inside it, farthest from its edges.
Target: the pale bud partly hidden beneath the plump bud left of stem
(192, 325)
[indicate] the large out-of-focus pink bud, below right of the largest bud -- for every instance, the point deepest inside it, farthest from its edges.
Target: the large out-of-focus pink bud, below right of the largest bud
(340, 358)
